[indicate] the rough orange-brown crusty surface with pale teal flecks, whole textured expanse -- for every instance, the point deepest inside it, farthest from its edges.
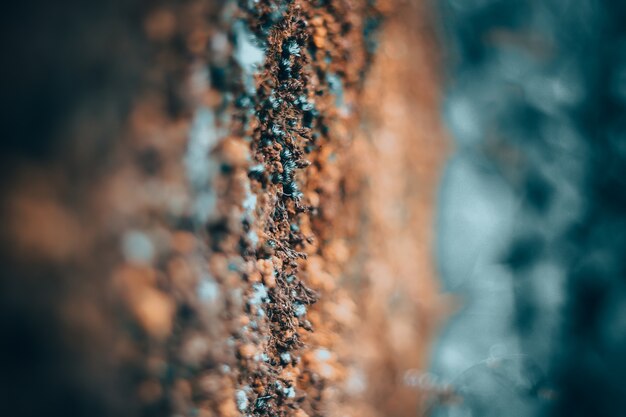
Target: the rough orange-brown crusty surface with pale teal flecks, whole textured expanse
(236, 221)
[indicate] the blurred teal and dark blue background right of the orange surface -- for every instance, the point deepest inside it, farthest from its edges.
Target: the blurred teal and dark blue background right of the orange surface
(533, 210)
